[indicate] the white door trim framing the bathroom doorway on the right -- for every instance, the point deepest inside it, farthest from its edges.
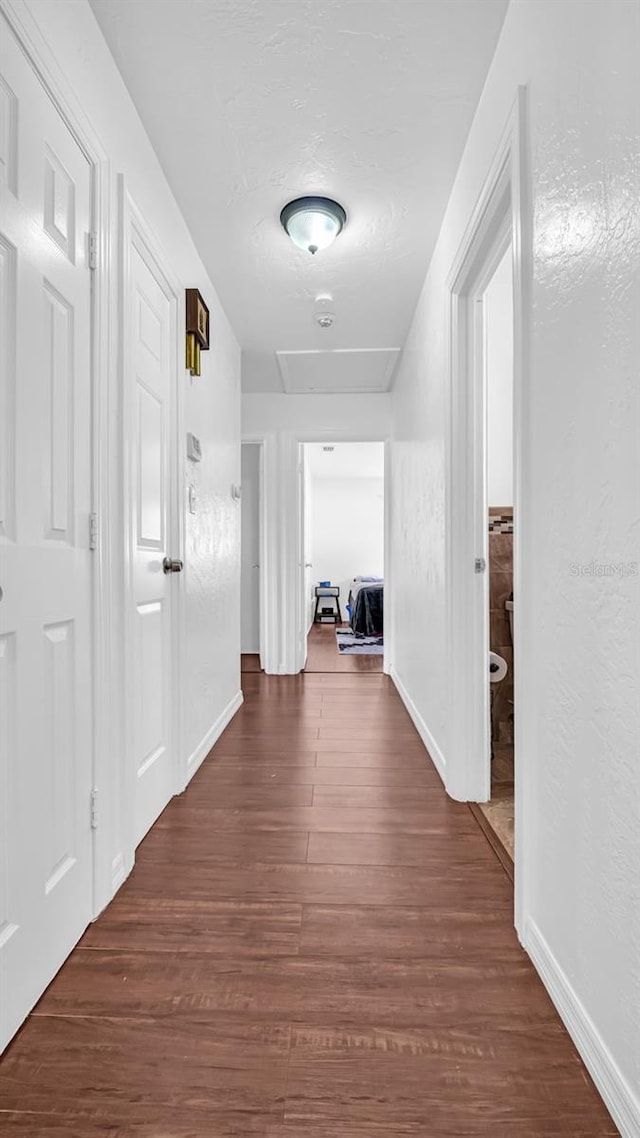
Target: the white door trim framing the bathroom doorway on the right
(504, 200)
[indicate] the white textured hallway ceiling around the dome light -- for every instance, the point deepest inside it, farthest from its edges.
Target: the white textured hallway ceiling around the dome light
(252, 103)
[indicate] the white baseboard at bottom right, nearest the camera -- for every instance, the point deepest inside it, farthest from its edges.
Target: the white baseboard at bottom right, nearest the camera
(618, 1095)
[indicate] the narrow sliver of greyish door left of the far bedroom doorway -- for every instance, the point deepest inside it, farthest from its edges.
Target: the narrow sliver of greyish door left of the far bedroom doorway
(250, 547)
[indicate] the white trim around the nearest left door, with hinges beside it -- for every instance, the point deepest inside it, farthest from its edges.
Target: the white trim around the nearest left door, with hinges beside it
(103, 392)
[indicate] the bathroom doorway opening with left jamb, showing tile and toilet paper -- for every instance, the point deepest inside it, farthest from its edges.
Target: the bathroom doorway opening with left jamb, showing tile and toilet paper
(482, 517)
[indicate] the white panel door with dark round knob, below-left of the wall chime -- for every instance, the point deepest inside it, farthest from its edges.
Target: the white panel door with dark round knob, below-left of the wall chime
(152, 422)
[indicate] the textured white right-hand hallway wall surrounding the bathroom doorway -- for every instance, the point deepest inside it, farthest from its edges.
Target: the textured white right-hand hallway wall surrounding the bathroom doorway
(580, 634)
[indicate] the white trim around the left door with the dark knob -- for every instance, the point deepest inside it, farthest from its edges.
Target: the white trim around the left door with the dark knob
(135, 233)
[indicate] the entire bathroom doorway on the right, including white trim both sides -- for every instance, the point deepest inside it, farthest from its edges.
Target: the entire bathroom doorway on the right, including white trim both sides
(490, 279)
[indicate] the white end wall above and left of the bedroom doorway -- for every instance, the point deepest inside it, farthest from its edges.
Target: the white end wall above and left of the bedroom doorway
(283, 422)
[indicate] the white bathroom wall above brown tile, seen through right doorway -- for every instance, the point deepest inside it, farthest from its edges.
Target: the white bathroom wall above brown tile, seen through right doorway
(499, 356)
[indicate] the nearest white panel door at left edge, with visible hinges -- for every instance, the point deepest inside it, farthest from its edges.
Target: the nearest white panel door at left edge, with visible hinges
(46, 656)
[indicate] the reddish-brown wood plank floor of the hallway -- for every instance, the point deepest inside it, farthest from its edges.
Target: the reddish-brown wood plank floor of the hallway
(316, 943)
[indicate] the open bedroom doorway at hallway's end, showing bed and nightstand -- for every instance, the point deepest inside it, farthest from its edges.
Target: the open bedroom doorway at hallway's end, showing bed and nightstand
(343, 556)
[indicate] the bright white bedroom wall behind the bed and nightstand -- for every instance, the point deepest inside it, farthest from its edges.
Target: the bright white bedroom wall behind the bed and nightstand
(348, 534)
